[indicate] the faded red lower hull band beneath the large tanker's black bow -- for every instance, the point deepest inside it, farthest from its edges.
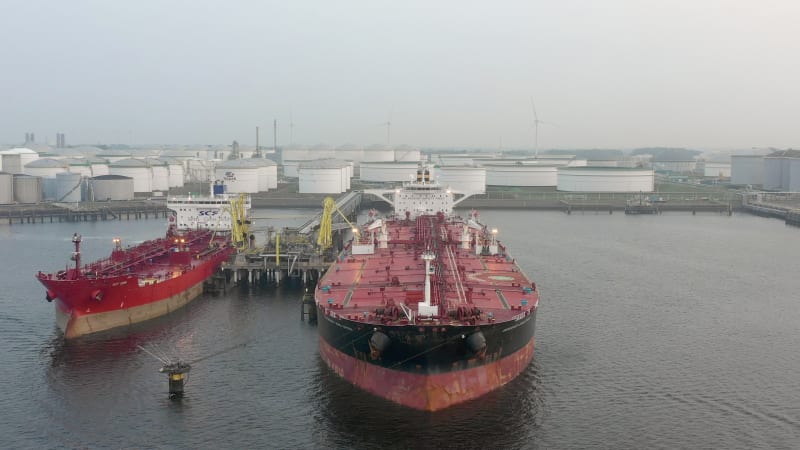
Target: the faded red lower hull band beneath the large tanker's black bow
(427, 392)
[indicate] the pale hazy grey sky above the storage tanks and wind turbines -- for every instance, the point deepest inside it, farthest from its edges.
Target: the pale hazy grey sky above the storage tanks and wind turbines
(603, 73)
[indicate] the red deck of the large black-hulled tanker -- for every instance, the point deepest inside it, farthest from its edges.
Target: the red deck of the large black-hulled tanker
(464, 278)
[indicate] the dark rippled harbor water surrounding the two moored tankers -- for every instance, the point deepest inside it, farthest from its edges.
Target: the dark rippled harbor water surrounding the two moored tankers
(668, 331)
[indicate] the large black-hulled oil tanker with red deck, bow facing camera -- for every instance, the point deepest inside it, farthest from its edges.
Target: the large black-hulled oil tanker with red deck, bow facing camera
(425, 308)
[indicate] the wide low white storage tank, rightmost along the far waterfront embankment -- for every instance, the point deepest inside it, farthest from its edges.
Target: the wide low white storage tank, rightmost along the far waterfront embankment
(605, 179)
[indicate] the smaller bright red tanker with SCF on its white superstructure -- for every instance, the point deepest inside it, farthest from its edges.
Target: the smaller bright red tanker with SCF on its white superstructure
(152, 278)
